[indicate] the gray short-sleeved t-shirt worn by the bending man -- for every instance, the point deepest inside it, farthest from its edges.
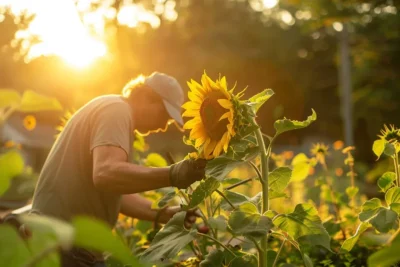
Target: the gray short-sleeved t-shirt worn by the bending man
(65, 187)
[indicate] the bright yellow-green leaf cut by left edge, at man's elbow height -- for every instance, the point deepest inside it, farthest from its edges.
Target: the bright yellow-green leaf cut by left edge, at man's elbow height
(11, 165)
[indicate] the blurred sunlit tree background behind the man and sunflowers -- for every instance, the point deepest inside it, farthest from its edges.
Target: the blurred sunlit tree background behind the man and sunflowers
(339, 57)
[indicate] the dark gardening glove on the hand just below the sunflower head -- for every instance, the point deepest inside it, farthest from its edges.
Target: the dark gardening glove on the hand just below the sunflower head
(186, 172)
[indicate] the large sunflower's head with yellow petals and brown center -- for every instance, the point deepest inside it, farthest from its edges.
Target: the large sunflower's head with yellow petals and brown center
(212, 110)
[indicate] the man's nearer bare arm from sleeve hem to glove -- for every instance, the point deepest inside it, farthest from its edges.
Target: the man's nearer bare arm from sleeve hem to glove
(112, 173)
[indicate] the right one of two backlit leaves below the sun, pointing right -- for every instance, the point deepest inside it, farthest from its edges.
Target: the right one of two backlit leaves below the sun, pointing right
(32, 101)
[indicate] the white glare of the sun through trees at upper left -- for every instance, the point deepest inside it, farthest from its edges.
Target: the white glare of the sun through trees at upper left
(61, 31)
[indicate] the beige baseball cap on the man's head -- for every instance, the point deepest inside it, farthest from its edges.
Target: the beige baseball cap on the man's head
(170, 91)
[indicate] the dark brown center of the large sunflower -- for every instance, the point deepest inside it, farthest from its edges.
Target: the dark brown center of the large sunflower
(210, 112)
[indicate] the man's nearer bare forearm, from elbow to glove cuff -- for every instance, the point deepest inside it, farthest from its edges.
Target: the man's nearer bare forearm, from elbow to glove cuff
(128, 178)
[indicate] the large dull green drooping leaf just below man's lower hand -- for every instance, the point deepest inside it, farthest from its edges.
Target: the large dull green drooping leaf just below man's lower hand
(170, 240)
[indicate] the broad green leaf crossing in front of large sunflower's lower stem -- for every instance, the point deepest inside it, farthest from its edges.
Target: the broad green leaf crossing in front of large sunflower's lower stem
(247, 221)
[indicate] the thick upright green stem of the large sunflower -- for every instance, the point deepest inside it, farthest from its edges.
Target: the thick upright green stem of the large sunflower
(262, 256)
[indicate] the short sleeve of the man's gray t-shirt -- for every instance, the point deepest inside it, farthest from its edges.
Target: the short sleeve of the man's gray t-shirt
(111, 126)
